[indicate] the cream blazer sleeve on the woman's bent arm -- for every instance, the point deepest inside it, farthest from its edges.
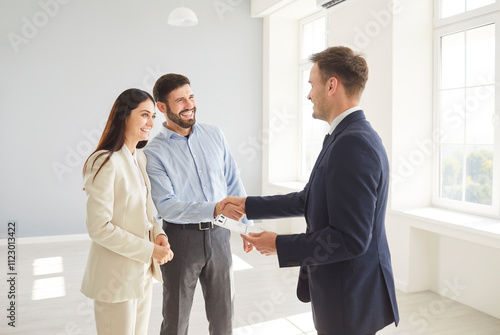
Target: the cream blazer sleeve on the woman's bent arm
(100, 226)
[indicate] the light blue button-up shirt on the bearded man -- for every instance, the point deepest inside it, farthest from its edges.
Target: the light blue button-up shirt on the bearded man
(190, 175)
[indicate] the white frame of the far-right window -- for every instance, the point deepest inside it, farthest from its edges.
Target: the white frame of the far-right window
(443, 27)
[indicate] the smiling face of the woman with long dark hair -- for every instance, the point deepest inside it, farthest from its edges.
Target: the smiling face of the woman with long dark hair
(139, 123)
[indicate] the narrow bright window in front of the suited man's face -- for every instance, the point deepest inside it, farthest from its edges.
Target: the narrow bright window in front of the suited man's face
(312, 39)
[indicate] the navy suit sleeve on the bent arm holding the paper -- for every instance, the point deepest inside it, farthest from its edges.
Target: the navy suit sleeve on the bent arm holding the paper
(352, 178)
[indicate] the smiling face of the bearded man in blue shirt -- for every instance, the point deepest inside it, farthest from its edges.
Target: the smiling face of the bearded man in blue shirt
(181, 108)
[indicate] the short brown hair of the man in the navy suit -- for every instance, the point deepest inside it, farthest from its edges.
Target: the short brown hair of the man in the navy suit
(345, 65)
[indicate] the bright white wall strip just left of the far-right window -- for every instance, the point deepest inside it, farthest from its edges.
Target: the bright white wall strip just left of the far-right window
(412, 104)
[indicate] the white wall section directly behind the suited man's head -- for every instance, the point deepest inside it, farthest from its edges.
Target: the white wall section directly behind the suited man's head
(366, 26)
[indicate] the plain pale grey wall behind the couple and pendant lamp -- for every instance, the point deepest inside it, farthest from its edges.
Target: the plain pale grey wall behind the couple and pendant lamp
(70, 61)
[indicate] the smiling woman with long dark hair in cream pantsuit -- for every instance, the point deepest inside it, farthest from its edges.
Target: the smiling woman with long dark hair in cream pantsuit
(128, 245)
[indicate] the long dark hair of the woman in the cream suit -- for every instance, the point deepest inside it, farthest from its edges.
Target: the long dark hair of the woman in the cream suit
(113, 136)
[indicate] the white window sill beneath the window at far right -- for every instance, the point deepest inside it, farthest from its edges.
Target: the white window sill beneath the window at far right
(477, 229)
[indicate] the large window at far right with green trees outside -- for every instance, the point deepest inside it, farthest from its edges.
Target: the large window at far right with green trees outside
(467, 157)
